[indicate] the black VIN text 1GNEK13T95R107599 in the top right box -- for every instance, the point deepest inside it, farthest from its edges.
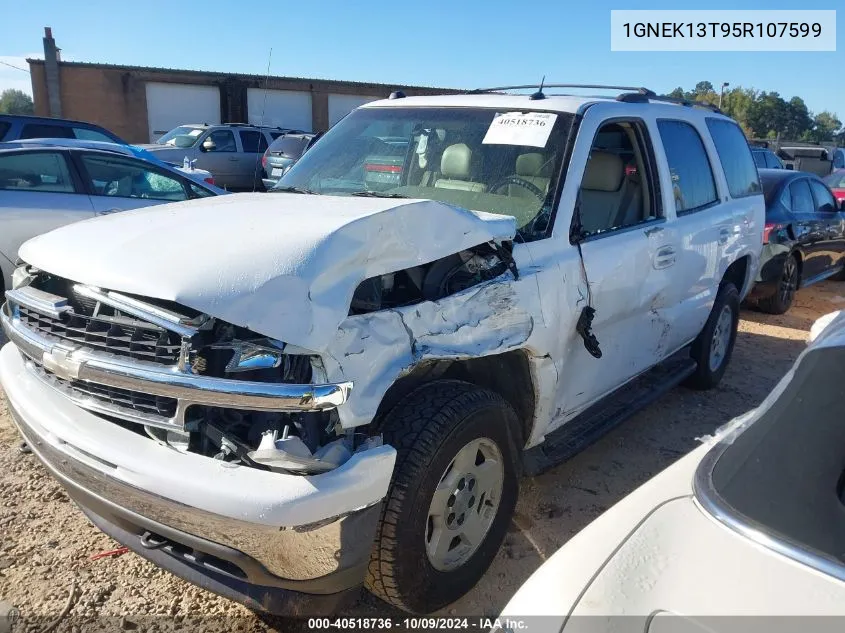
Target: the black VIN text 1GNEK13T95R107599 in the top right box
(722, 29)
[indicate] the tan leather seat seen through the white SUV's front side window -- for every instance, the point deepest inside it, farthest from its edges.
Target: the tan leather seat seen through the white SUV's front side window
(605, 191)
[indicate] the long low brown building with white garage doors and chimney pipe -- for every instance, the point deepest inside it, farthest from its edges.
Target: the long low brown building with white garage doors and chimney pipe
(140, 104)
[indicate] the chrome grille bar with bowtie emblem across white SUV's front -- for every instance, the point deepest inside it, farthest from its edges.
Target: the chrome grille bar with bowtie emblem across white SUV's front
(149, 378)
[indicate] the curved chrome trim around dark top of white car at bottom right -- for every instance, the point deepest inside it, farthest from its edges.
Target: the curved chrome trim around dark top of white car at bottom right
(712, 503)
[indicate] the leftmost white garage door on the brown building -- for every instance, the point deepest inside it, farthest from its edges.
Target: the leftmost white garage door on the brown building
(169, 105)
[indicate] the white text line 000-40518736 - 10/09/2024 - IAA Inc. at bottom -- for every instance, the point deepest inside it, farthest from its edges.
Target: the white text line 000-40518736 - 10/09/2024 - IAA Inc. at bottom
(505, 625)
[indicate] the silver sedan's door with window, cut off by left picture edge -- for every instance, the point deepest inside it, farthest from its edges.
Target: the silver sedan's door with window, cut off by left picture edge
(39, 192)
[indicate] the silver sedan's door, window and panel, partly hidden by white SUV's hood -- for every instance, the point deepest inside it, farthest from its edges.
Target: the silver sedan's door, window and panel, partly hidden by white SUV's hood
(118, 183)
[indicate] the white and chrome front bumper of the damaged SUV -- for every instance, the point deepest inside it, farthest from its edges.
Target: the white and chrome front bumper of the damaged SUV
(297, 528)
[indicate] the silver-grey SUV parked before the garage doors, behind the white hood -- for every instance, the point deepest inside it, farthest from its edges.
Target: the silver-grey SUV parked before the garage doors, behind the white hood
(230, 151)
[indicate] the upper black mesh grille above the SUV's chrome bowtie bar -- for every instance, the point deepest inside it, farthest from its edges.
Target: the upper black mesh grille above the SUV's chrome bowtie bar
(112, 334)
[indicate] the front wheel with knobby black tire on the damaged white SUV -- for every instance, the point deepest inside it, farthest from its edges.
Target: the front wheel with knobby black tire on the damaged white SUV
(452, 495)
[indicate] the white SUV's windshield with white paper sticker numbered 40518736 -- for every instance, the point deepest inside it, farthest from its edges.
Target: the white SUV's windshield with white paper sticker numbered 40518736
(500, 162)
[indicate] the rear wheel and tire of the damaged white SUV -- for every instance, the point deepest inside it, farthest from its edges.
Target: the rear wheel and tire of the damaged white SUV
(713, 347)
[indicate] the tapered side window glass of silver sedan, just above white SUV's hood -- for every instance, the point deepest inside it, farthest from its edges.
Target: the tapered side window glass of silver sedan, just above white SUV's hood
(125, 178)
